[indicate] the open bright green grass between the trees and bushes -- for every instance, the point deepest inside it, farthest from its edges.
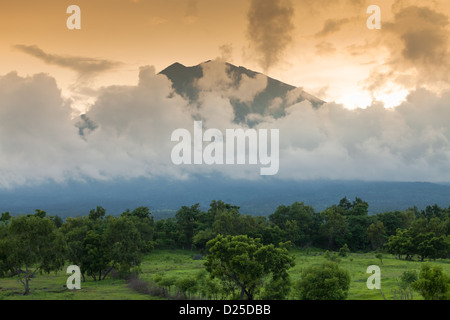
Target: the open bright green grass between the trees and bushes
(179, 263)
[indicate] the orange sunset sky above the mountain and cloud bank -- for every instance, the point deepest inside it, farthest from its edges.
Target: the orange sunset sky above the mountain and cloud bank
(331, 52)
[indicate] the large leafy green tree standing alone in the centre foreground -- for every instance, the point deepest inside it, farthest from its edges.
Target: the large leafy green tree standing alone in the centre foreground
(245, 263)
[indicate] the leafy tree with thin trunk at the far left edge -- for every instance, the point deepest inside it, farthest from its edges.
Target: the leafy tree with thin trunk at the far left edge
(29, 245)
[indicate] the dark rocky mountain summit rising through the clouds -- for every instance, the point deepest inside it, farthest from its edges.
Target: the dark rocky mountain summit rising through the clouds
(271, 100)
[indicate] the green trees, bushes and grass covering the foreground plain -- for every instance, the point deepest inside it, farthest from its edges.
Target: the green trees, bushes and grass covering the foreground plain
(237, 256)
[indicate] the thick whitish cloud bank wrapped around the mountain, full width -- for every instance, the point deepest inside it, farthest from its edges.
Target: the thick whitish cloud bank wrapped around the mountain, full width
(127, 134)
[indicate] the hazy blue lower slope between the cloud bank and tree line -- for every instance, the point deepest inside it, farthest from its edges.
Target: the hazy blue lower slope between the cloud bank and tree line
(164, 198)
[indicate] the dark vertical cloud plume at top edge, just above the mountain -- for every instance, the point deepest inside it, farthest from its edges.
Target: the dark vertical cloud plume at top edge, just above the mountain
(269, 30)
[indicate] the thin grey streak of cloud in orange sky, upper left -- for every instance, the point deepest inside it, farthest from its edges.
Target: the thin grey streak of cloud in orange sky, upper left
(84, 66)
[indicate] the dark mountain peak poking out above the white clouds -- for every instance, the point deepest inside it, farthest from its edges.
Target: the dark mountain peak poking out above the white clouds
(184, 81)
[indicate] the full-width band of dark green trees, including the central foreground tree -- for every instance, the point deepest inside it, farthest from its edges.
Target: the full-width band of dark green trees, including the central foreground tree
(101, 244)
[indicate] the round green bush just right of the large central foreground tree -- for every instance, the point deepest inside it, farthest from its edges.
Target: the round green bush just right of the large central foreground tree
(324, 282)
